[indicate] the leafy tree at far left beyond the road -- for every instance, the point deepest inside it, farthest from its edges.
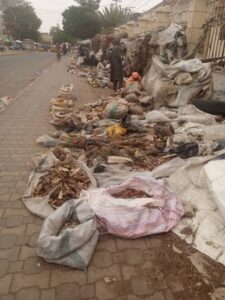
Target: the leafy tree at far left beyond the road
(22, 22)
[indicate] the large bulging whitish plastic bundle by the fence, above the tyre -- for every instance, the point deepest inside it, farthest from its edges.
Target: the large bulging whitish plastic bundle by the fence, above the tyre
(178, 84)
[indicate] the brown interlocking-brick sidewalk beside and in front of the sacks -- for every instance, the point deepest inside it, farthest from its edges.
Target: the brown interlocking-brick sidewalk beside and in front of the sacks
(146, 268)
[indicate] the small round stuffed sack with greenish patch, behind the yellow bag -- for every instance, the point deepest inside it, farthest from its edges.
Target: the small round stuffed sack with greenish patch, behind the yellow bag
(114, 110)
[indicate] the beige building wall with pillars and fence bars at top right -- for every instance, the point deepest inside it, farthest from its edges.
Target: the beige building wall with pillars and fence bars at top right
(192, 15)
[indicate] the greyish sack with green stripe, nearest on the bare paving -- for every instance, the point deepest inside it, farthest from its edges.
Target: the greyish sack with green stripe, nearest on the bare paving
(72, 247)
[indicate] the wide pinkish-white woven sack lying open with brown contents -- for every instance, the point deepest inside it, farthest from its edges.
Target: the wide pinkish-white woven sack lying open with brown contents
(133, 218)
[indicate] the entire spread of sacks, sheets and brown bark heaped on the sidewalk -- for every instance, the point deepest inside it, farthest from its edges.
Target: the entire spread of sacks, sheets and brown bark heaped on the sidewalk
(141, 158)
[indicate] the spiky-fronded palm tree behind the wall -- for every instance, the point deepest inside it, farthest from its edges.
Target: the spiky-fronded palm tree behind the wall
(113, 16)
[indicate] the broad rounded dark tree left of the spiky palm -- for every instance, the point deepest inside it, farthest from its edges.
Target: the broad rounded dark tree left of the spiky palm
(80, 22)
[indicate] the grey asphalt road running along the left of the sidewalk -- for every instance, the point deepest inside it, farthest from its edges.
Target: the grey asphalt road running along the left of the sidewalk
(18, 71)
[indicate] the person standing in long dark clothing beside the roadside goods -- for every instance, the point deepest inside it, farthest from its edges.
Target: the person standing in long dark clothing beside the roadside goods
(116, 71)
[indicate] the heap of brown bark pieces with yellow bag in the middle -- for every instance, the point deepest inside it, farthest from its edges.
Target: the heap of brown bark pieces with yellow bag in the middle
(108, 132)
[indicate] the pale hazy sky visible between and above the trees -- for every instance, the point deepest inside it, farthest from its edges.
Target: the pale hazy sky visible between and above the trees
(49, 11)
